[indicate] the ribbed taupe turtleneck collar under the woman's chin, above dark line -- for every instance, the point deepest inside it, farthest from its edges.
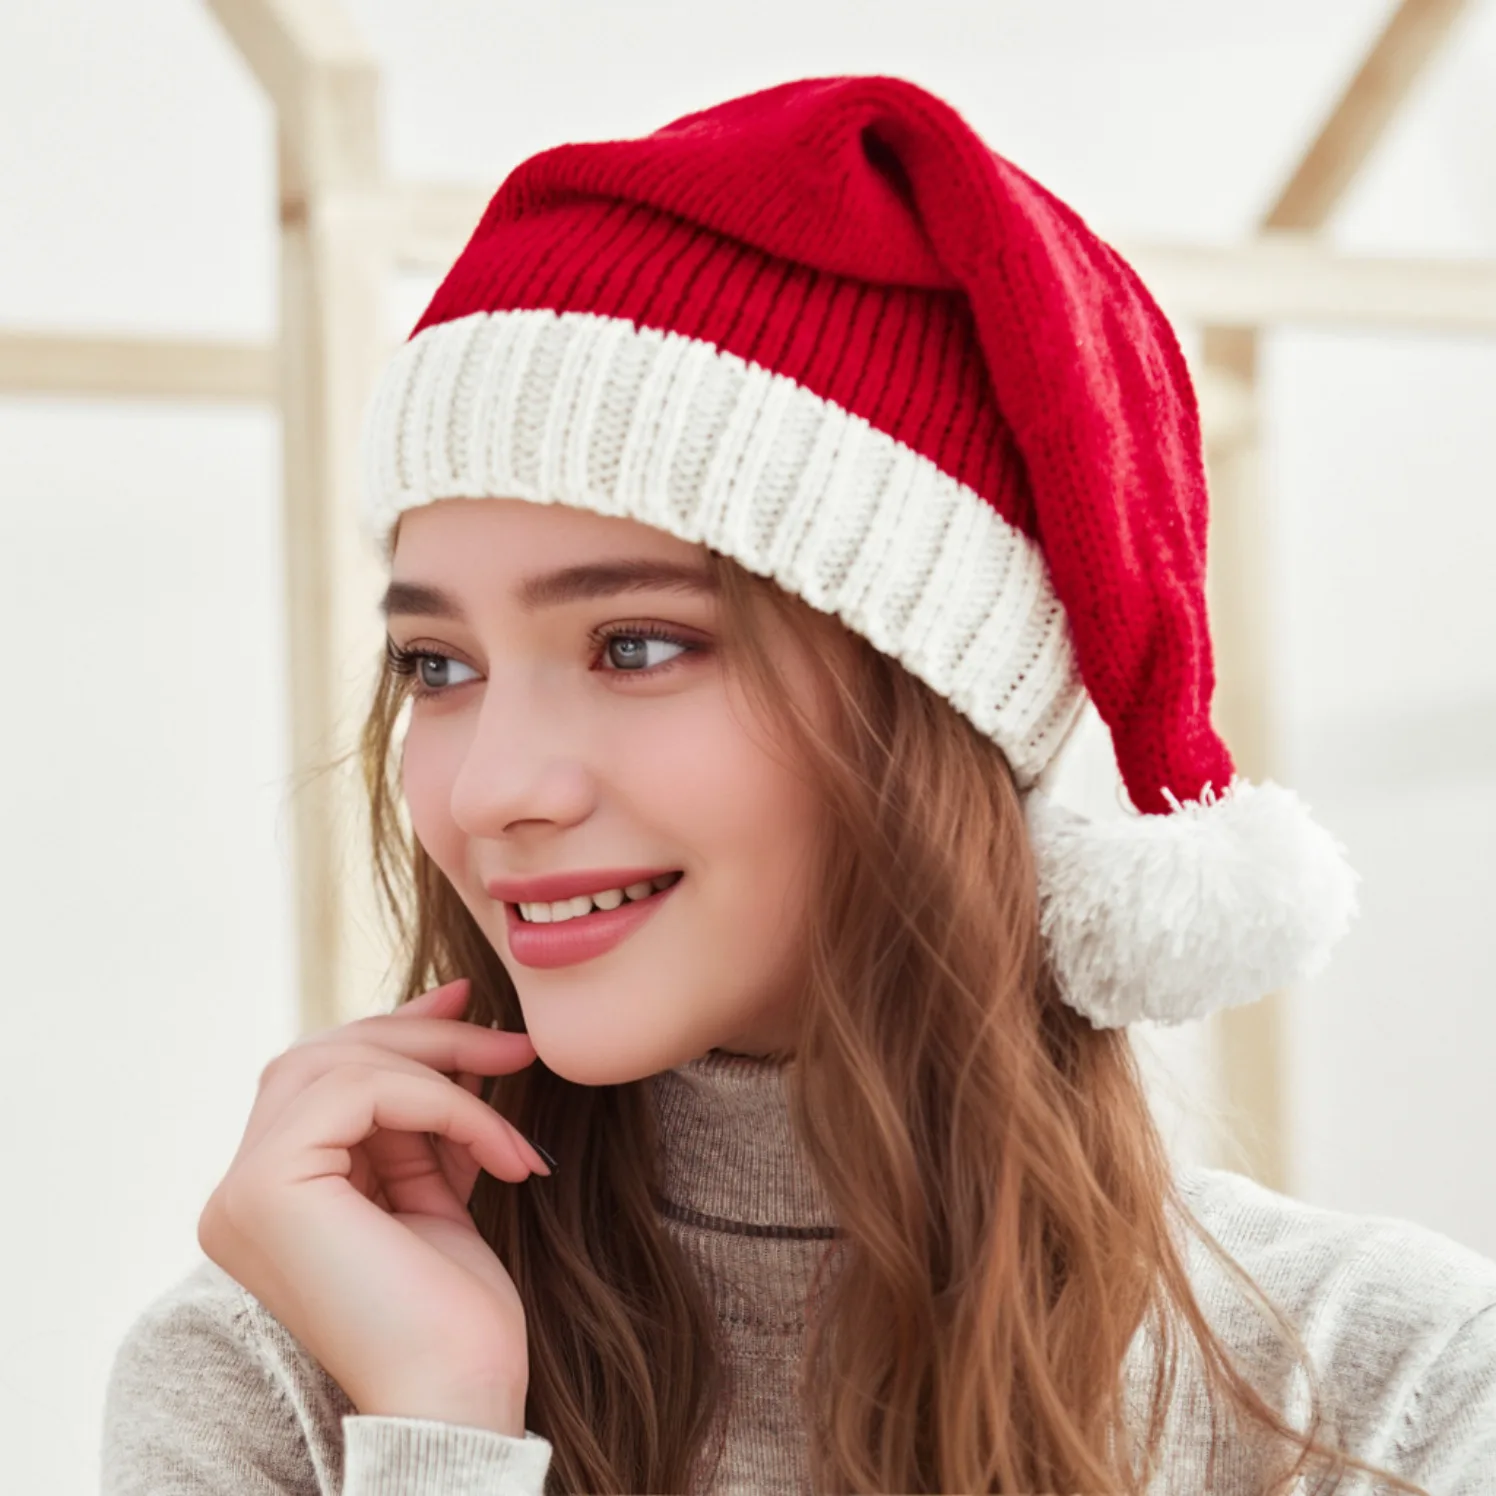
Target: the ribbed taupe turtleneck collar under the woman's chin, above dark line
(728, 1153)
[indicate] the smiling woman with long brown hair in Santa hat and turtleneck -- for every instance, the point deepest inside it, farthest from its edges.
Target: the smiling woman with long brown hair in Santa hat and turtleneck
(764, 500)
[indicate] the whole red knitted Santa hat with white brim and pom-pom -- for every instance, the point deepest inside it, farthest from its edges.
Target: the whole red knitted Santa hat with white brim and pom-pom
(828, 333)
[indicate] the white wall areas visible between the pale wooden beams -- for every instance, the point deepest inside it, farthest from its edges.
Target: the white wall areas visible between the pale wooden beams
(144, 901)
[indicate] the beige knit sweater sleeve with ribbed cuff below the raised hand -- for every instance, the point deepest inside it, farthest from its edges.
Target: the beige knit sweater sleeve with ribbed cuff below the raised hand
(210, 1397)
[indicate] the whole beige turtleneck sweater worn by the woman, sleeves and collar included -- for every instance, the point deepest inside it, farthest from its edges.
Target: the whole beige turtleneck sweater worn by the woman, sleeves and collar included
(210, 1397)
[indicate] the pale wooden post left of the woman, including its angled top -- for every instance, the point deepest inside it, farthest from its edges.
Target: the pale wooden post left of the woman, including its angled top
(336, 258)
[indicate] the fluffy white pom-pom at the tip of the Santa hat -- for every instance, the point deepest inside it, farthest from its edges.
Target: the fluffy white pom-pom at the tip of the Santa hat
(1171, 918)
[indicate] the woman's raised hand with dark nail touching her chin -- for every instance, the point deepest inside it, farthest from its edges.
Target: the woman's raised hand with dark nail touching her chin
(345, 1213)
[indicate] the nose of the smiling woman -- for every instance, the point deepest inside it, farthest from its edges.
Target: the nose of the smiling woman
(526, 765)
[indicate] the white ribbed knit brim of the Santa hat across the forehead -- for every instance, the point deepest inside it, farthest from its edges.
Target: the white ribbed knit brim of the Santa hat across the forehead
(602, 415)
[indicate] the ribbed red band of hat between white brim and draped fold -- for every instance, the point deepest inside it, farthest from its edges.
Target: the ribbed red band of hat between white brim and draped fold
(906, 360)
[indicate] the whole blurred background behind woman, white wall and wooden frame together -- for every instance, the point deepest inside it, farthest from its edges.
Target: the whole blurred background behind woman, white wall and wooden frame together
(216, 219)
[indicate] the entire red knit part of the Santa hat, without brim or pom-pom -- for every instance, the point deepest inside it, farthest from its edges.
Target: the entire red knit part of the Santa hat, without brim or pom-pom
(856, 236)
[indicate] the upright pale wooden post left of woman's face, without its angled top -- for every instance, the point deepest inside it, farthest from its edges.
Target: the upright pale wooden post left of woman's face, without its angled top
(334, 269)
